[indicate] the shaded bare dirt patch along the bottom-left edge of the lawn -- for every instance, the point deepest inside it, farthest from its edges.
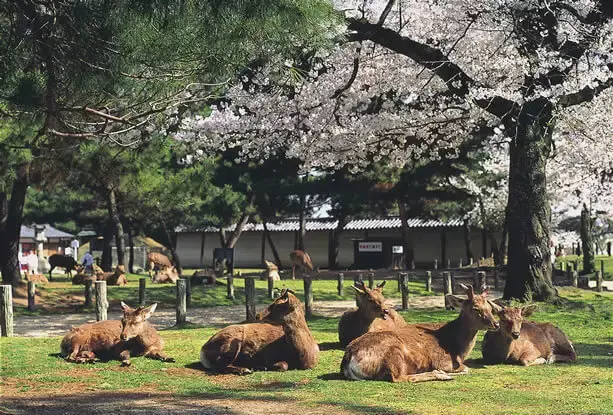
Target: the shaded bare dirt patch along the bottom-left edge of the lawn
(143, 401)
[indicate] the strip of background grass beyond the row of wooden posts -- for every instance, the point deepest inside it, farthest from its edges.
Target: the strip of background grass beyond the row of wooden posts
(61, 296)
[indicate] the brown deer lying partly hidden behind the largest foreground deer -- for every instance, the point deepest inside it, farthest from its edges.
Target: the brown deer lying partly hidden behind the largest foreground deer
(372, 314)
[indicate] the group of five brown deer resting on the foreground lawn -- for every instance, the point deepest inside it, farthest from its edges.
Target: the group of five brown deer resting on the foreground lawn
(379, 344)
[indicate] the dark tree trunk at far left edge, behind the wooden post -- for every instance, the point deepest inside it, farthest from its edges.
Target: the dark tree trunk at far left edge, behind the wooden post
(11, 229)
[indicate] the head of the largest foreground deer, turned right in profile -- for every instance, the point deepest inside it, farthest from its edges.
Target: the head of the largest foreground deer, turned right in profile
(477, 307)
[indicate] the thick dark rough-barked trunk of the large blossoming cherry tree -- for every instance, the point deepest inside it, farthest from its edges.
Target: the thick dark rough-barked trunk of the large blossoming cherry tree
(529, 267)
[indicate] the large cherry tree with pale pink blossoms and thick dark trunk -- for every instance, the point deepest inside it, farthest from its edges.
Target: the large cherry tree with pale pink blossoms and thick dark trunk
(413, 77)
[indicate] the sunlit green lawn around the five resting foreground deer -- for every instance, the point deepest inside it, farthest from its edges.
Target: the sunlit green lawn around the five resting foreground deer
(29, 369)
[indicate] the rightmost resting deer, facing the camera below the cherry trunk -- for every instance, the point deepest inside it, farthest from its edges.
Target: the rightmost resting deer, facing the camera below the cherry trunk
(525, 342)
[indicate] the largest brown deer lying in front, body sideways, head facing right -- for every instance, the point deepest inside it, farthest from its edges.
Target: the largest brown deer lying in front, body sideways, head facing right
(421, 352)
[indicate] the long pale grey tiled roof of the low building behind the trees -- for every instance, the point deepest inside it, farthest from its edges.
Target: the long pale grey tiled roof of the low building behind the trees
(323, 225)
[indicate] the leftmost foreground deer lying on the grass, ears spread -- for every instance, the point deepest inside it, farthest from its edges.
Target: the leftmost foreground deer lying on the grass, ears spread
(115, 339)
